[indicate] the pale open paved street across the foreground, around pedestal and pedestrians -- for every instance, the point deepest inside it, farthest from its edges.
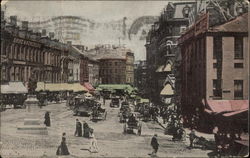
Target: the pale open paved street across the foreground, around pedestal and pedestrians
(111, 141)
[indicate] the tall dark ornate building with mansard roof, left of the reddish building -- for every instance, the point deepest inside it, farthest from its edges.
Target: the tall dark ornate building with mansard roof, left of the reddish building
(161, 45)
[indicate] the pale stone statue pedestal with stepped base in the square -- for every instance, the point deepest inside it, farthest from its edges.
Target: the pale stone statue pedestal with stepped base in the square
(32, 124)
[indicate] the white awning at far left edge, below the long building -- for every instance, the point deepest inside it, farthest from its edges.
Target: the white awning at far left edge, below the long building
(13, 88)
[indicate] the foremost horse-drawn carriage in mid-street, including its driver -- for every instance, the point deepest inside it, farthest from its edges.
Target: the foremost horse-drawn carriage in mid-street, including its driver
(132, 123)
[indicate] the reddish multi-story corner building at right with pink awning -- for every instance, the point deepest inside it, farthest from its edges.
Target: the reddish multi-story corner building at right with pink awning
(214, 66)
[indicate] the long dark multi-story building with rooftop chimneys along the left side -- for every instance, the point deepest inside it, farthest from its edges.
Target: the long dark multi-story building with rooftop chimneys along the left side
(25, 53)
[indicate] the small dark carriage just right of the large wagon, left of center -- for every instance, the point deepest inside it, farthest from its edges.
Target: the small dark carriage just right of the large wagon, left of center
(98, 113)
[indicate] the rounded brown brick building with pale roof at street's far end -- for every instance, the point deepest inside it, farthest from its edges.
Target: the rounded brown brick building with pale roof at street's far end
(116, 64)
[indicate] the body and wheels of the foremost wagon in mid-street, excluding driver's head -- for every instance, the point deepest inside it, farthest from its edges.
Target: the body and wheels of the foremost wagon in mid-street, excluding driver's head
(129, 126)
